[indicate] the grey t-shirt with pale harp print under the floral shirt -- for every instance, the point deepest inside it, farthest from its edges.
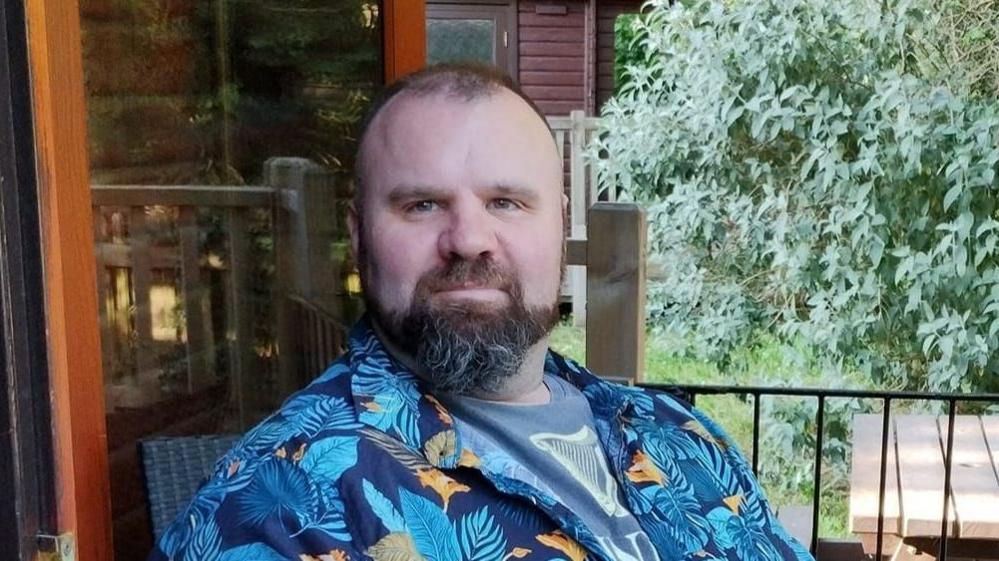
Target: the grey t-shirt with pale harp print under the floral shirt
(555, 448)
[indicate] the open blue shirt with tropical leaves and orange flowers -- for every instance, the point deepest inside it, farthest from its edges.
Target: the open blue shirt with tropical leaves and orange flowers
(365, 464)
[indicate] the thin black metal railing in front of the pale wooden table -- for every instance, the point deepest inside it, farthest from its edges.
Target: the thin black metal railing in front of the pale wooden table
(691, 392)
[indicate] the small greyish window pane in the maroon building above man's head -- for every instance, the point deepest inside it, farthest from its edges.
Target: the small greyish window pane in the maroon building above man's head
(451, 40)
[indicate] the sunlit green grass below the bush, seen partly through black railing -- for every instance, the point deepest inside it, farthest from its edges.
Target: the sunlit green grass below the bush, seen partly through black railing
(766, 364)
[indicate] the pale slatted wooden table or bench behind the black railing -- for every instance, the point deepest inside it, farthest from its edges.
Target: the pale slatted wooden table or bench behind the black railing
(914, 486)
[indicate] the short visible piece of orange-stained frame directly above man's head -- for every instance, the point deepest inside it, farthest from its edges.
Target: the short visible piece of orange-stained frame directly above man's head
(405, 37)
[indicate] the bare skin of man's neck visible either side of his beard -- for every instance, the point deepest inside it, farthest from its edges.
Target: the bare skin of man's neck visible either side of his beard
(526, 387)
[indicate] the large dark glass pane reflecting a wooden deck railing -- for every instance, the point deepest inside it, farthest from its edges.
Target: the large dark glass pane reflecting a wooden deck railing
(221, 141)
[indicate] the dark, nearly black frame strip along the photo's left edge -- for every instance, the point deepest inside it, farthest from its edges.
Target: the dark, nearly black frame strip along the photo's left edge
(27, 502)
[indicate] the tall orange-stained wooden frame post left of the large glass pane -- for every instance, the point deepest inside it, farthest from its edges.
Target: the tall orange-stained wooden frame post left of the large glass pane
(74, 348)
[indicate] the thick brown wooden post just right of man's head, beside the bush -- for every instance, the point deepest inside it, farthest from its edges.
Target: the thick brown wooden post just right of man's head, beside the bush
(615, 287)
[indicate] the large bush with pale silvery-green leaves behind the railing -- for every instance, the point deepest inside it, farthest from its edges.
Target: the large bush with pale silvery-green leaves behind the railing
(807, 174)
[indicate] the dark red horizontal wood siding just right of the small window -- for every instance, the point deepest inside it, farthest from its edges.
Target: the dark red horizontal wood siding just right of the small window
(552, 56)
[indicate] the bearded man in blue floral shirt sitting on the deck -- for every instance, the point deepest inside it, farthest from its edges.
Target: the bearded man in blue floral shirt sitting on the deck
(448, 431)
